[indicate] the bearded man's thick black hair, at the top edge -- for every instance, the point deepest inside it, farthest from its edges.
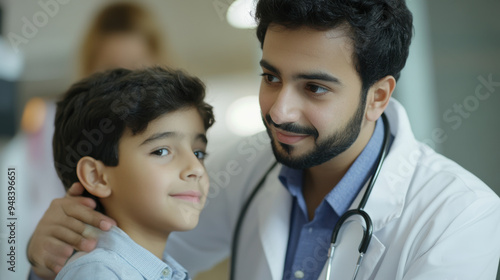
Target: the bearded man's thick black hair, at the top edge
(380, 29)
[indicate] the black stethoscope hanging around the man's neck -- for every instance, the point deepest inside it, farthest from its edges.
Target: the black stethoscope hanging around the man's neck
(367, 230)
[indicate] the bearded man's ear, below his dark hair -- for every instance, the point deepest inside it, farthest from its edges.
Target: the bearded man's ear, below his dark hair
(378, 97)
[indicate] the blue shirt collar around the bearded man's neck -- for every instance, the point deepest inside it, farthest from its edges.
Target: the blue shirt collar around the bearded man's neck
(343, 194)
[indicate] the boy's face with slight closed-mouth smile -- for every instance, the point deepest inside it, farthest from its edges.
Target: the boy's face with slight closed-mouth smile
(160, 184)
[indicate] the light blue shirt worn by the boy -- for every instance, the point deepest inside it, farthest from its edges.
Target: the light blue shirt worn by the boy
(117, 256)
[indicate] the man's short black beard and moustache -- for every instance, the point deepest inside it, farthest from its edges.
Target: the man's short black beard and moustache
(323, 150)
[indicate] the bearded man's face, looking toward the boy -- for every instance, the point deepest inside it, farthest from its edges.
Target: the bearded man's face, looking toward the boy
(310, 95)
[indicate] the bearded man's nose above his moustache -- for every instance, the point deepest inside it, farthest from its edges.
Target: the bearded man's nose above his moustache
(286, 106)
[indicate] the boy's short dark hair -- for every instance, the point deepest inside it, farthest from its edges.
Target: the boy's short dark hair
(94, 113)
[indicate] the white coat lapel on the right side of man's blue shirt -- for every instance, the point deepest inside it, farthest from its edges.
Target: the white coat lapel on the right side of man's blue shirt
(382, 207)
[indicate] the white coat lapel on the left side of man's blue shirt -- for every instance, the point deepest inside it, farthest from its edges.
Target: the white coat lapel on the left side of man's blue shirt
(275, 204)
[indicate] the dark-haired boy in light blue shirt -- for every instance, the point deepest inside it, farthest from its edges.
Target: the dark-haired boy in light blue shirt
(136, 142)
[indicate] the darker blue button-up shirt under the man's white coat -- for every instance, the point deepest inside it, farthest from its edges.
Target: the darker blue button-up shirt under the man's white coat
(309, 240)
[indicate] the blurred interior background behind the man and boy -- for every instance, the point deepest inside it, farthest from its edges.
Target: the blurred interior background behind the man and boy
(450, 86)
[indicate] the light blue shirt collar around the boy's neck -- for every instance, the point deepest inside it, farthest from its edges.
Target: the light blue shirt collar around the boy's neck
(150, 266)
